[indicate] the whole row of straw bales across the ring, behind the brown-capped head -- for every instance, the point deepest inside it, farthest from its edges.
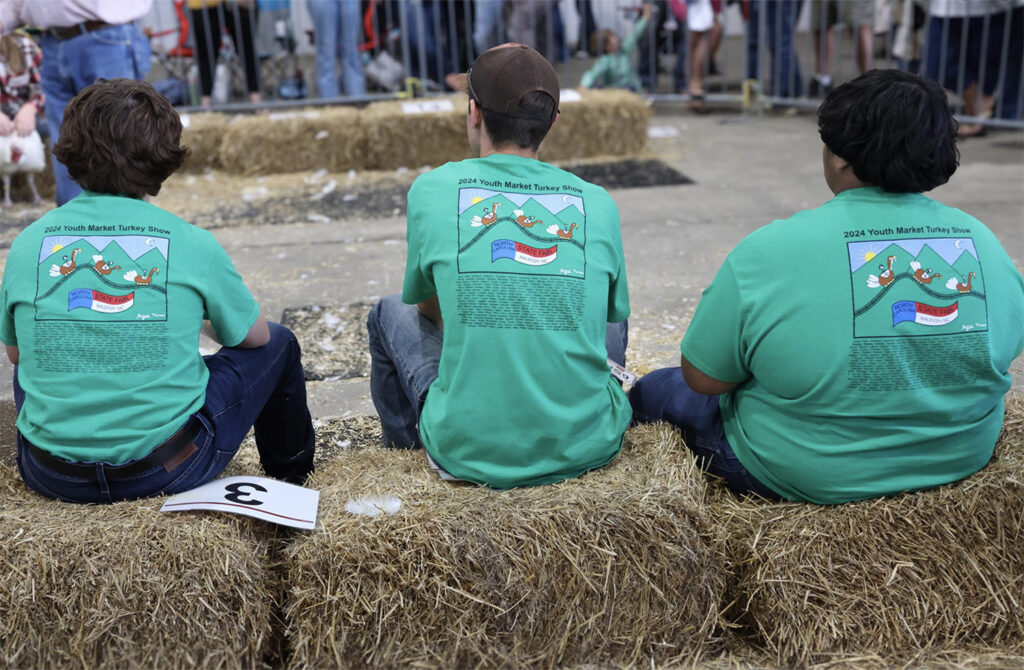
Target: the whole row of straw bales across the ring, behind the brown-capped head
(383, 137)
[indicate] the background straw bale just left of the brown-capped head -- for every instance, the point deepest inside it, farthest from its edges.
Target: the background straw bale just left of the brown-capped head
(396, 140)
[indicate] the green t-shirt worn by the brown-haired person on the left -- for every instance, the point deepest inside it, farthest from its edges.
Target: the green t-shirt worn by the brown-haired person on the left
(105, 299)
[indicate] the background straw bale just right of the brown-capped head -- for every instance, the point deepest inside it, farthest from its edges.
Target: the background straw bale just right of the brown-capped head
(604, 123)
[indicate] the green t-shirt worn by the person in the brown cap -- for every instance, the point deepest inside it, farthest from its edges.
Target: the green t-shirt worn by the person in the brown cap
(527, 262)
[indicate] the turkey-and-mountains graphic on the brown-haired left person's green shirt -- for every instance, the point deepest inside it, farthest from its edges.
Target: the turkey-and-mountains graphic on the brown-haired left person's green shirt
(102, 278)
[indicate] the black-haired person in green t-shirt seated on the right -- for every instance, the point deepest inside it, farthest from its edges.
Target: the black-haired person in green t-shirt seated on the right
(862, 349)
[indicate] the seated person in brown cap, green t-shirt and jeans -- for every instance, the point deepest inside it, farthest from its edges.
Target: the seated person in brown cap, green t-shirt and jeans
(495, 358)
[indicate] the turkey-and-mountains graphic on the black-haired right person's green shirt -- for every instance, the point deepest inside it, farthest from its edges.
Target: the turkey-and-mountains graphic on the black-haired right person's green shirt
(921, 286)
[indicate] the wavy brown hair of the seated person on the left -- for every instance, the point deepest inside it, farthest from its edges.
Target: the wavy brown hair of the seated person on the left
(120, 137)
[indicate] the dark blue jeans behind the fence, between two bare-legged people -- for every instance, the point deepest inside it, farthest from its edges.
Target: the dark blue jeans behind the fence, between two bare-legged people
(781, 20)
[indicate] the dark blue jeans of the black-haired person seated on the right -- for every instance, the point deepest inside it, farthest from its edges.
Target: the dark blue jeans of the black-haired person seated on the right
(664, 396)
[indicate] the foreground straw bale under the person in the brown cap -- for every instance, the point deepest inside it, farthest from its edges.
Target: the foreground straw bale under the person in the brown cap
(609, 569)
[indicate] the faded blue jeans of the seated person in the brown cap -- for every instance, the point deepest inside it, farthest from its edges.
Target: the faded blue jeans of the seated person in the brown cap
(405, 353)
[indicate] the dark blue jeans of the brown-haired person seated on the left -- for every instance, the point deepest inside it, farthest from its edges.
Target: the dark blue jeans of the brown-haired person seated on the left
(264, 389)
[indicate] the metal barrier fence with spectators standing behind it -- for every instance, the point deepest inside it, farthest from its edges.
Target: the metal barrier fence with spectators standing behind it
(236, 55)
